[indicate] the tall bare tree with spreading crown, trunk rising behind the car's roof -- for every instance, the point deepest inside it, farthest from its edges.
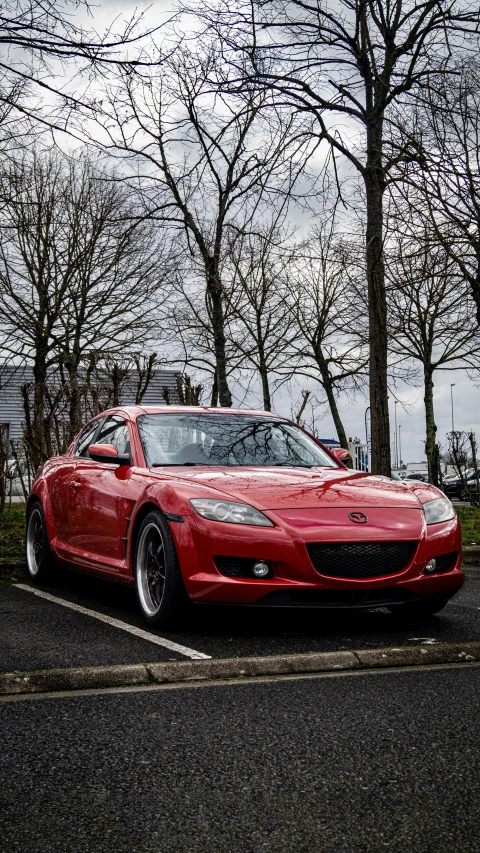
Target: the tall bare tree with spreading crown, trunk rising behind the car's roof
(205, 162)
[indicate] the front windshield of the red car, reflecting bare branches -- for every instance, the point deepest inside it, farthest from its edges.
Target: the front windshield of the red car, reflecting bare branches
(210, 439)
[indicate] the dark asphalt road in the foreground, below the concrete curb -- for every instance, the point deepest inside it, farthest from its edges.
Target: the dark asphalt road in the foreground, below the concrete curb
(354, 764)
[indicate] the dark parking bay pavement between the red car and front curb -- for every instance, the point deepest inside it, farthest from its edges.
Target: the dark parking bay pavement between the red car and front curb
(36, 633)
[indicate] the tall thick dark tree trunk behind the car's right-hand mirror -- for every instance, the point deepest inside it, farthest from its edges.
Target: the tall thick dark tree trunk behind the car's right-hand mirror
(377, 302)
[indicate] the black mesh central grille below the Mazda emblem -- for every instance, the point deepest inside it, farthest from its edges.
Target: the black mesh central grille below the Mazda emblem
(359, 560)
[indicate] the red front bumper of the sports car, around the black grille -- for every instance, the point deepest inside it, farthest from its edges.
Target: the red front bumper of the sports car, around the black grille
(295, 582)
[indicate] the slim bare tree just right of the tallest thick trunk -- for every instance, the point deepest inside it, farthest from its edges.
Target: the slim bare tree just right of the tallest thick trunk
(431, 319)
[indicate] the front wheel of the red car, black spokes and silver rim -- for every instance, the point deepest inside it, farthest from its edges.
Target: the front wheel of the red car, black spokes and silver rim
(159, 584)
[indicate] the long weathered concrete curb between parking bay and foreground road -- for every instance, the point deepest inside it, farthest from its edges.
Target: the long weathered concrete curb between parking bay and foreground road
(132, 675)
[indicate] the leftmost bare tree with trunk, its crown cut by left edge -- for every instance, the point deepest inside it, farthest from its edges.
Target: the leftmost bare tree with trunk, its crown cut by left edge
(31, 285)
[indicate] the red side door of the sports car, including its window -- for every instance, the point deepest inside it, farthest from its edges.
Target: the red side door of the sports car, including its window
(95, 501)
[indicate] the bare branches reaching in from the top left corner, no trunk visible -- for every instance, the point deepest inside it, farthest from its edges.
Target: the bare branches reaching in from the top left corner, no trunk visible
(40, 40)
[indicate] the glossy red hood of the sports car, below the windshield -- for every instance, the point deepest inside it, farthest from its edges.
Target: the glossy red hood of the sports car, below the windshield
(271, 489)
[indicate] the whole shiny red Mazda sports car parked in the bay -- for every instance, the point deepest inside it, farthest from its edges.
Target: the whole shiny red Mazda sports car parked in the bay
(238, 507)
